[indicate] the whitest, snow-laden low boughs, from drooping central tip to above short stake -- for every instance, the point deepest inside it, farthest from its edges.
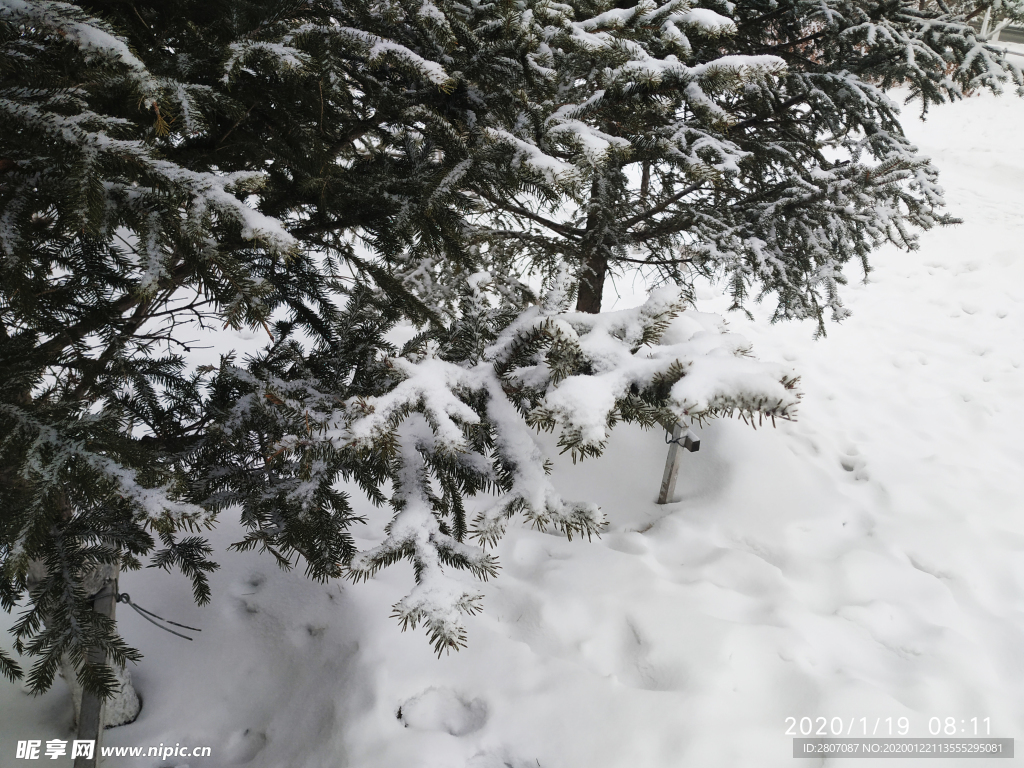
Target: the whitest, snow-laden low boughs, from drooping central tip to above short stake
(451, 428)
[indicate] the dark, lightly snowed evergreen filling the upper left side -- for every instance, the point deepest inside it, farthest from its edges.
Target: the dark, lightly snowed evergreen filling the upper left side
(131, 145)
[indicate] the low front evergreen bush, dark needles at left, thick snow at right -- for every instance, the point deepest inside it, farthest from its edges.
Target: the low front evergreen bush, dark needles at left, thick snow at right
(451, 417)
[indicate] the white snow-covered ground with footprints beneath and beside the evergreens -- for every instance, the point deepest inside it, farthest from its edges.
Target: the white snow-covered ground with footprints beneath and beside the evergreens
(866, 562)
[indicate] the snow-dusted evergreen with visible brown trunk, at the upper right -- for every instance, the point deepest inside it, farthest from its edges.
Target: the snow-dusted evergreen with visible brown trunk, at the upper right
(751, 142)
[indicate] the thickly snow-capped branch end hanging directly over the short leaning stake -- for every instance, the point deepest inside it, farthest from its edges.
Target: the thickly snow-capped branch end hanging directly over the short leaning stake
(629, 355)
